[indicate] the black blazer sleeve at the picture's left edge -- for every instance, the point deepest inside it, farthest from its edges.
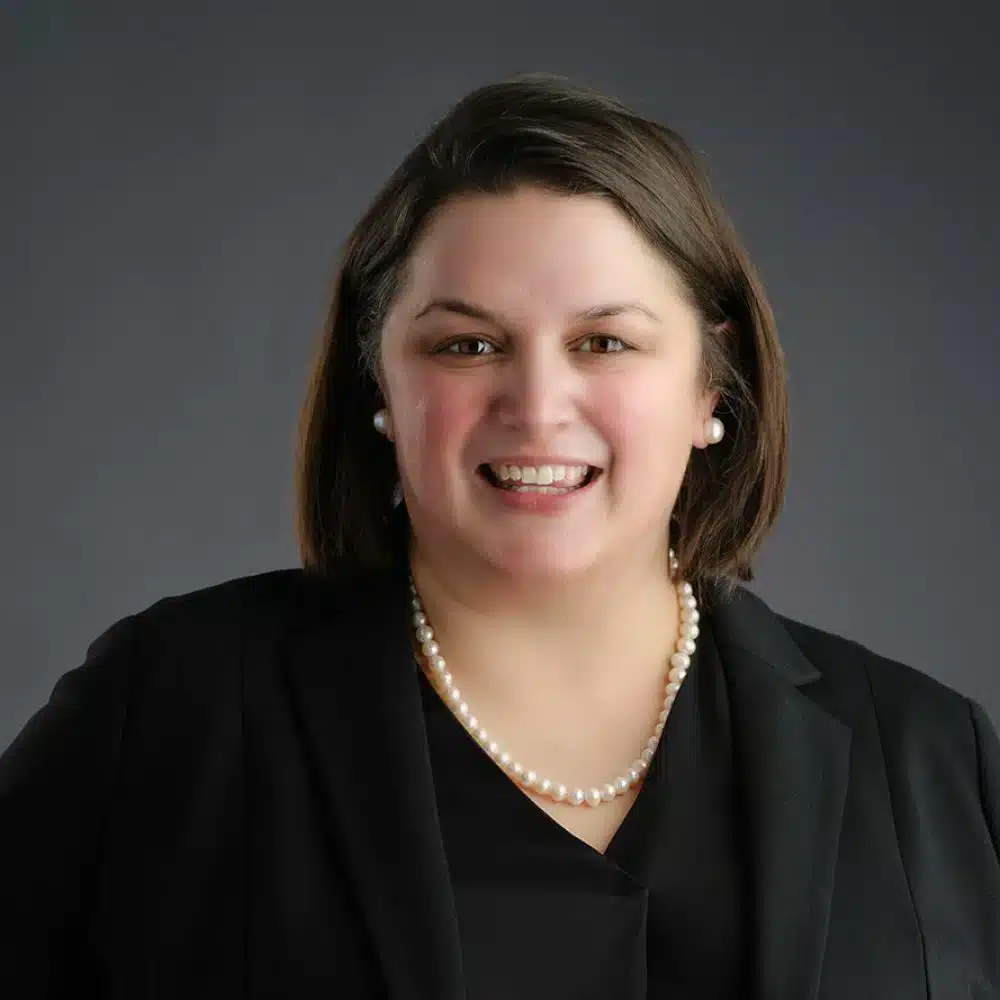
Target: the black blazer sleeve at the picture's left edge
(56, 782)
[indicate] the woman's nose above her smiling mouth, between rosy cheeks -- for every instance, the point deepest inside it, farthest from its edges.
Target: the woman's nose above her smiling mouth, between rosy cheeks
(538, 389)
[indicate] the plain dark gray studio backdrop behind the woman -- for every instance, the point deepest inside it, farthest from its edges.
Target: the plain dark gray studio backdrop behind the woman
(177, 182)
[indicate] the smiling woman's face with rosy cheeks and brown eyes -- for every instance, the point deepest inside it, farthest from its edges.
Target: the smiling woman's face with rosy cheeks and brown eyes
(541, 332)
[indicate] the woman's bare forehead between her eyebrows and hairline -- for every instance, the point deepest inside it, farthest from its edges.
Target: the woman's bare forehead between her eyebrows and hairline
(533, 246)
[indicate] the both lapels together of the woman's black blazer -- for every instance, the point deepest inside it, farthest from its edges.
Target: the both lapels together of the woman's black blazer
(351, 672)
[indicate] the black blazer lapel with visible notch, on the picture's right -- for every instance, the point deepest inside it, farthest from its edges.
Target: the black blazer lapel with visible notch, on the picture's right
(792, 763)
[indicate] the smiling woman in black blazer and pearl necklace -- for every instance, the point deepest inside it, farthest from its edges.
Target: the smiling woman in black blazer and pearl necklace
(515, 729)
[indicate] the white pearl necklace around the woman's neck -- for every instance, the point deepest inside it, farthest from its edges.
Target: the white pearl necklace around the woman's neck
(680, 661)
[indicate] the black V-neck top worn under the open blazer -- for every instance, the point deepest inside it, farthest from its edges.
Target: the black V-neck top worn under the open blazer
(543, 915)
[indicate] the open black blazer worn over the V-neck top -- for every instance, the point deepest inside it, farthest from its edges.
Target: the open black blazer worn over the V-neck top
(232, 797)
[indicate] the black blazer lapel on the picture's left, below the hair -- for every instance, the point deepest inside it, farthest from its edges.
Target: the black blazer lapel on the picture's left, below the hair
(353, 677)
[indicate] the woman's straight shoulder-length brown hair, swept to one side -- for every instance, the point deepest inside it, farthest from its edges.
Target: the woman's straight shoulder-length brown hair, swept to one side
(546, 131)
